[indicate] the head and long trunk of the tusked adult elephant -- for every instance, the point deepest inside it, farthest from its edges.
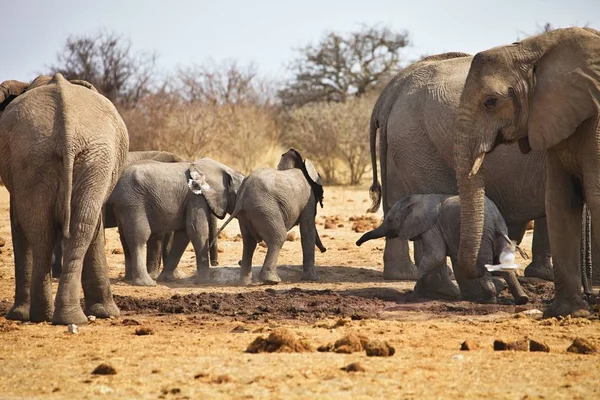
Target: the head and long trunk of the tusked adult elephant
(536, 92)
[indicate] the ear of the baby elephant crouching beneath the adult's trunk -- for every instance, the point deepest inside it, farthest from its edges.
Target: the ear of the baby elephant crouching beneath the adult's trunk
(418, 214)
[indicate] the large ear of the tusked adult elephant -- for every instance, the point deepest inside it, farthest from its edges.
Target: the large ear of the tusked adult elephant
(567, 86)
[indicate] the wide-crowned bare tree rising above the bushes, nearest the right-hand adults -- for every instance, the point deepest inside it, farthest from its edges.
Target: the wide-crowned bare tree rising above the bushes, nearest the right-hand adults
(344, 65)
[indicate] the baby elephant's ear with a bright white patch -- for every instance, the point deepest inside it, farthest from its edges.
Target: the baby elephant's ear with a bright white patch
(213, 183)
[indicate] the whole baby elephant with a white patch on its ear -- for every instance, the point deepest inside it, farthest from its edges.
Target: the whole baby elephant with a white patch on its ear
(153, 198)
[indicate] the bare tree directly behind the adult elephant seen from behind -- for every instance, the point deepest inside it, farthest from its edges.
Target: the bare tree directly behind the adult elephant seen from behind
(107, 60)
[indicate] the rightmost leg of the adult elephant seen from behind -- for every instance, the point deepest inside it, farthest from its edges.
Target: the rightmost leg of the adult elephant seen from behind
(96, 284)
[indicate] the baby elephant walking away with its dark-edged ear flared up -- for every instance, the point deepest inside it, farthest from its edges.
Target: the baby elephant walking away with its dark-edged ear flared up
(269, 204)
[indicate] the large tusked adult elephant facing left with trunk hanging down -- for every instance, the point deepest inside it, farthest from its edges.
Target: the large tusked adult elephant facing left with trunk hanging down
(543, 92)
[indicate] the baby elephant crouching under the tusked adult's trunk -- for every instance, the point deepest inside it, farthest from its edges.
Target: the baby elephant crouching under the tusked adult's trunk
(435, 220)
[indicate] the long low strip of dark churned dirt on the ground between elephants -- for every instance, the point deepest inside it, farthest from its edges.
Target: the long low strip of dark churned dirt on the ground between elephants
(295, 303)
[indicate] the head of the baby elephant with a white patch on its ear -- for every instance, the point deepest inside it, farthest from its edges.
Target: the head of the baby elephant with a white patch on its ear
(218, 184)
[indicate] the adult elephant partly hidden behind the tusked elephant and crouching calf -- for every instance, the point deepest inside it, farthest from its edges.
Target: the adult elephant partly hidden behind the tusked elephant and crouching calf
(415, 115)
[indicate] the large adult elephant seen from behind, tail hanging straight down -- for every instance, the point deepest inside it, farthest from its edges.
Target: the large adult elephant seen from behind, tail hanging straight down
(62, 149)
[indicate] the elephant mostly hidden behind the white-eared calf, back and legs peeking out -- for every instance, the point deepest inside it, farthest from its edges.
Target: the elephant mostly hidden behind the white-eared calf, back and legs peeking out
(155, 245)
